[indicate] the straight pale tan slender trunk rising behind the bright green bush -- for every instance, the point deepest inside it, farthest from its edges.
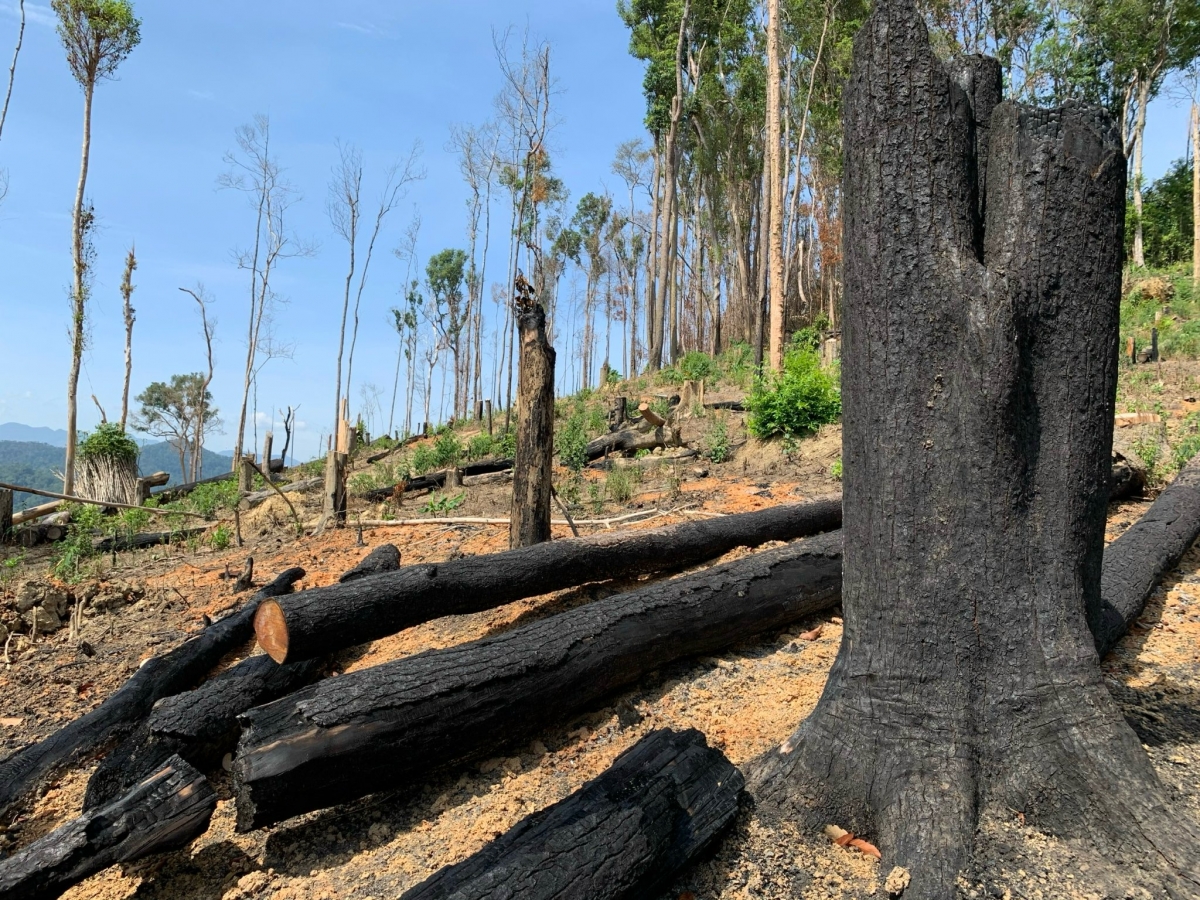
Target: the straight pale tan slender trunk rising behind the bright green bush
(773, 176)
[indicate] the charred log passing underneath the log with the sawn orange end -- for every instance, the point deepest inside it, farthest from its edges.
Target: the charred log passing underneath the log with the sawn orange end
(201, 725)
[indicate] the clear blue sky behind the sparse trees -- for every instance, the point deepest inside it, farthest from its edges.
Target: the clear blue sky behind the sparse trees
(379, 75)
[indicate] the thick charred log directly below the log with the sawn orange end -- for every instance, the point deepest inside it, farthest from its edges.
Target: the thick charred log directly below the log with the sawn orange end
(392, 725)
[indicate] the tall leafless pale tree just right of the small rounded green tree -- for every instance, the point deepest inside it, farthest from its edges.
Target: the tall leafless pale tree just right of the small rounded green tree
(257, 175)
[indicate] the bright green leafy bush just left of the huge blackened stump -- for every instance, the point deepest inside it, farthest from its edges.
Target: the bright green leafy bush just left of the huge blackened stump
(795, 401)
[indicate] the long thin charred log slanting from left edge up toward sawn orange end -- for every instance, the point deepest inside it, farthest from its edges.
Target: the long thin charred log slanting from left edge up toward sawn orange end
(176, 671)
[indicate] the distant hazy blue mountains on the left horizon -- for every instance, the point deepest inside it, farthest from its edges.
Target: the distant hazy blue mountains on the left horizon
(35, 464)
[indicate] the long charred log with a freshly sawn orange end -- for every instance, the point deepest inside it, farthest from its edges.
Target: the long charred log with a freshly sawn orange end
(328, 620)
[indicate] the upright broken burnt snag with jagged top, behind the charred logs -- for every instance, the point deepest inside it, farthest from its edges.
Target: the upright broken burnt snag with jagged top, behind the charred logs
(532, 475)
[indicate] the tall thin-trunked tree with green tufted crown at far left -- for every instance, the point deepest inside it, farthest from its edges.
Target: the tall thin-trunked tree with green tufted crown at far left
(98, 37)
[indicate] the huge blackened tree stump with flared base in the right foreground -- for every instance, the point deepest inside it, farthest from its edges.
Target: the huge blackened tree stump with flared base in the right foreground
(979, 389)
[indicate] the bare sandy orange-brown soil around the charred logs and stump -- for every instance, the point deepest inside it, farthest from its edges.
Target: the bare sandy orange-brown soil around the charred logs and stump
(746, 701)
